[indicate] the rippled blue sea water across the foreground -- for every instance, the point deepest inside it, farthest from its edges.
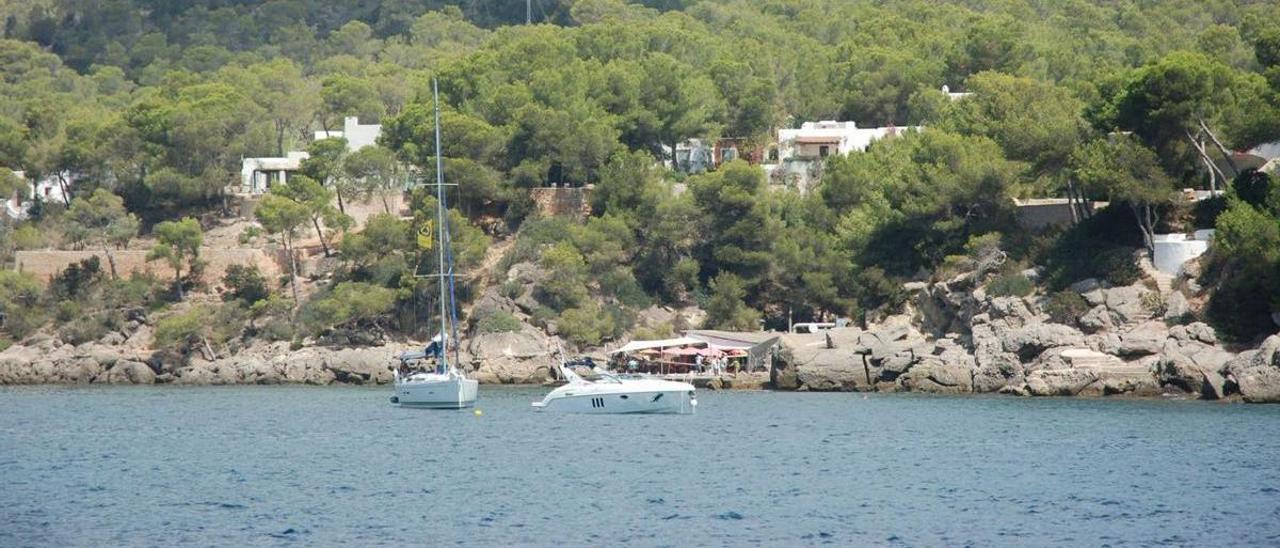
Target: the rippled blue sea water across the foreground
(330, 467)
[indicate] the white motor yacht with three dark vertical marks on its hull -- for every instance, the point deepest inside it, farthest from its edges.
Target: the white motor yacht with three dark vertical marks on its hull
(609, 394)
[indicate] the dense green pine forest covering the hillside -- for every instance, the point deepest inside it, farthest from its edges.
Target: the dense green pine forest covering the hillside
(150, 106)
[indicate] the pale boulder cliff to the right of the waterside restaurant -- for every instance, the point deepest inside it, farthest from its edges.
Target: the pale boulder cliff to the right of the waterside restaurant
(958, 340)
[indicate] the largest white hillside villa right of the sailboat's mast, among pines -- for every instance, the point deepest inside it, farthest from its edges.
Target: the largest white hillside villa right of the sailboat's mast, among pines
(802, 152)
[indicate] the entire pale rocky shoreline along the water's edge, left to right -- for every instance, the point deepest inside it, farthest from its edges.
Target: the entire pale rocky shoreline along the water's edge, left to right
(954, 340)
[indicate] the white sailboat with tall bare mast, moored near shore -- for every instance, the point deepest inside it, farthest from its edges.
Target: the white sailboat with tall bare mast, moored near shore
(445, 386)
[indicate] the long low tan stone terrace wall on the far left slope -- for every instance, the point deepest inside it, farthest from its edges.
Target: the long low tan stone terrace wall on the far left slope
(47, 264)
